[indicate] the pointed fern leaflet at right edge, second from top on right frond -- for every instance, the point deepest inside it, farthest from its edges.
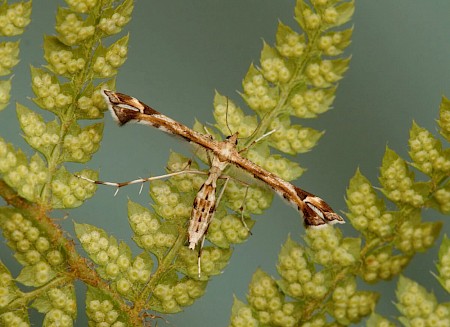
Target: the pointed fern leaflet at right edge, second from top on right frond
(426, 152)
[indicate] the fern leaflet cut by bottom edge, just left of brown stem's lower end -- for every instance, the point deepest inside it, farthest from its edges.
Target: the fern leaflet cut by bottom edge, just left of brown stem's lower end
(103, 314)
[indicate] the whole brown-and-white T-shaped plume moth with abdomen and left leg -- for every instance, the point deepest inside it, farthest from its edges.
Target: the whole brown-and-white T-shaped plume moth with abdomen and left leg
(125, 109)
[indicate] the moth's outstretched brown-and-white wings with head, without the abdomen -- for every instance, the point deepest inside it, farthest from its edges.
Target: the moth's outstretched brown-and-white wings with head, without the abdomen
(125, 109)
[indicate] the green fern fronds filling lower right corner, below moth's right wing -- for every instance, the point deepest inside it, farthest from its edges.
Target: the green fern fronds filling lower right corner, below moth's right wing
(388, 240)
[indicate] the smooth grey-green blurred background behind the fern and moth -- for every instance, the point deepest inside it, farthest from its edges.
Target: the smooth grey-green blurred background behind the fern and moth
(181, 51)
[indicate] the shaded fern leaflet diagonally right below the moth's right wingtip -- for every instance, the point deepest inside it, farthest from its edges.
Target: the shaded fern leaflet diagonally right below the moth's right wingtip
(383, 264)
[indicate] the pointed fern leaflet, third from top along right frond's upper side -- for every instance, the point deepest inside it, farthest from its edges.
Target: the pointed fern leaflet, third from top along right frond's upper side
(398, 182)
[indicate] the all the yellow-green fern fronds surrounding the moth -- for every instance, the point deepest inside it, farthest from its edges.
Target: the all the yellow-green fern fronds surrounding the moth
(317, 284)
